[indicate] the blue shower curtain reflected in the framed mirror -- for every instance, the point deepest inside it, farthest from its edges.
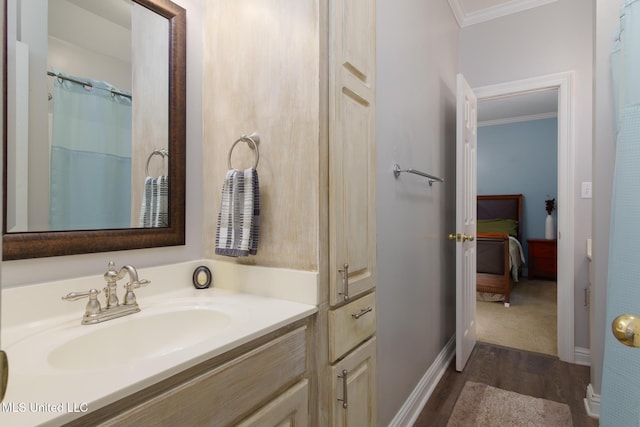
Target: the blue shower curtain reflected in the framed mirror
(90, 156)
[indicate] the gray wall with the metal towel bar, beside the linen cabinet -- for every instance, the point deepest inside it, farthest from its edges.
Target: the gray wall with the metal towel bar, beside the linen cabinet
(417, 57)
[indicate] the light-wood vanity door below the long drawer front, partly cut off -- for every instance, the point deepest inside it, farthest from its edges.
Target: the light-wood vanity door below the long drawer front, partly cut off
(287, 410)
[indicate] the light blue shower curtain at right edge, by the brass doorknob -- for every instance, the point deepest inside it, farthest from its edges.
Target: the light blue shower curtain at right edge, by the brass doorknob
(620, 405)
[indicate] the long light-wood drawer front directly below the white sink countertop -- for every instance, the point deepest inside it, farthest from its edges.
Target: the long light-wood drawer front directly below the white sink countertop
(224, 394)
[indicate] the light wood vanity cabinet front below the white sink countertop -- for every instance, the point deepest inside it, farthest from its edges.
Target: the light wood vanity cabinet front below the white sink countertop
(262, 382)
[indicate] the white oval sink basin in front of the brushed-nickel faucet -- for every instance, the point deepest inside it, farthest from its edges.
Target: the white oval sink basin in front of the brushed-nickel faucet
(134, 338)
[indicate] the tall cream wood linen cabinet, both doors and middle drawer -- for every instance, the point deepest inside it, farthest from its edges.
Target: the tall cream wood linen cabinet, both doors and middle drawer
(352, 223)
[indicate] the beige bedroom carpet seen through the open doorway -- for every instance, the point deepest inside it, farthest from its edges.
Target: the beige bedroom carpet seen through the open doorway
(530, 323)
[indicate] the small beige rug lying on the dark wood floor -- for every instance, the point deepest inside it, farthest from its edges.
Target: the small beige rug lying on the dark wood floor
(483, 405)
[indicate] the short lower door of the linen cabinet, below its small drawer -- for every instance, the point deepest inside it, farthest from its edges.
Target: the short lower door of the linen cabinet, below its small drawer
(354, 388)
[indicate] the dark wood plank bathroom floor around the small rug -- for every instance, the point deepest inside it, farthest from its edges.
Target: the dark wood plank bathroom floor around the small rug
(523, 372)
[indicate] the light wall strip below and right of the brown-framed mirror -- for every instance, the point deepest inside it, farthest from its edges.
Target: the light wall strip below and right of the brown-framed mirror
(46, 269)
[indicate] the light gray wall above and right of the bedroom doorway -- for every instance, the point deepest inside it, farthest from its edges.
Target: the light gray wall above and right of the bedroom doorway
(549, 39)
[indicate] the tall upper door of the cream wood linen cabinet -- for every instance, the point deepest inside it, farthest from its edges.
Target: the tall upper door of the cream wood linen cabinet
(352, 149)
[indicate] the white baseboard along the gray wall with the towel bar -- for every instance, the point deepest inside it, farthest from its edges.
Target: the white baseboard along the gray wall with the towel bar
(408, 414)
